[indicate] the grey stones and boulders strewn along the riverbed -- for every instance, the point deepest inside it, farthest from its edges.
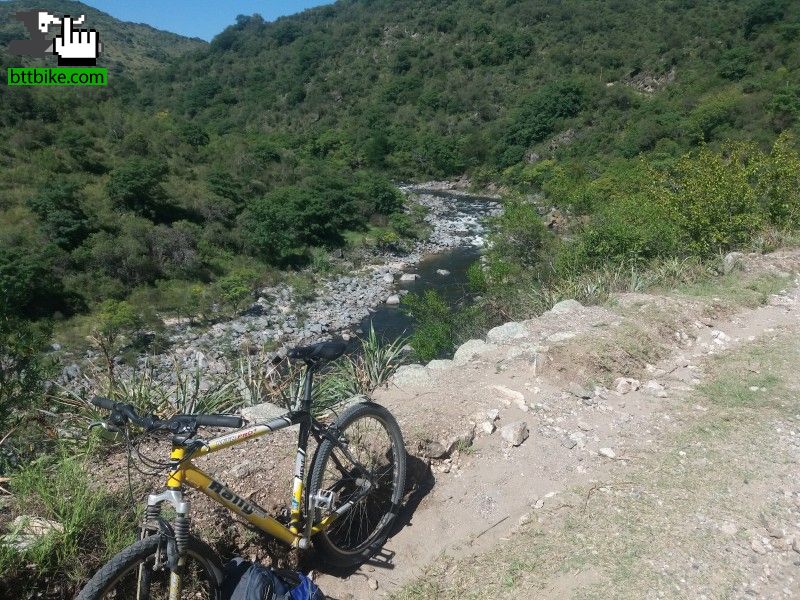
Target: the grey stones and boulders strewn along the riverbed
(282, 317)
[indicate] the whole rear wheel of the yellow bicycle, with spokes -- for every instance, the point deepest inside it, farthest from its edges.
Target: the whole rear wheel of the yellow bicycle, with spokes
(373, 439)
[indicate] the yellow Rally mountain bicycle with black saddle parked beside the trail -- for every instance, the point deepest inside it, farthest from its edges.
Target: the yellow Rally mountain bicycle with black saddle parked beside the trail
(344, 506)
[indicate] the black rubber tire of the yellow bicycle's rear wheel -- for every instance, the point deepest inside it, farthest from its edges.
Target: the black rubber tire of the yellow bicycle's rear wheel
(329, 544)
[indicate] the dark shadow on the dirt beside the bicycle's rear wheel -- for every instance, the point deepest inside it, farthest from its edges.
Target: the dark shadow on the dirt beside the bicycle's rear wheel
(419, 483)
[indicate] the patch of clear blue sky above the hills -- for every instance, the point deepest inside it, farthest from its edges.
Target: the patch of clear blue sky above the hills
(198, 18)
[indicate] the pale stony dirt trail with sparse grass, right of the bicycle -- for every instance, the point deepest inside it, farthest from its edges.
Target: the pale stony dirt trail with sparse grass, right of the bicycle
(557, 374)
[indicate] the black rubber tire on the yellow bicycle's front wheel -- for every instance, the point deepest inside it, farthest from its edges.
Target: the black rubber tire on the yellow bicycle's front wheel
(128, 559)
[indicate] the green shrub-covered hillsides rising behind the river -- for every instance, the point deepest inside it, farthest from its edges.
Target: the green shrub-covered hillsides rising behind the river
(205, 162)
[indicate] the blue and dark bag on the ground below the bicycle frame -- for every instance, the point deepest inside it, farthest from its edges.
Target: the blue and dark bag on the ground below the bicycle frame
(245, 580)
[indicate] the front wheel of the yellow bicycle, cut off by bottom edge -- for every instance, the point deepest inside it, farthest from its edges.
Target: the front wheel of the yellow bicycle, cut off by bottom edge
(132, 574)
